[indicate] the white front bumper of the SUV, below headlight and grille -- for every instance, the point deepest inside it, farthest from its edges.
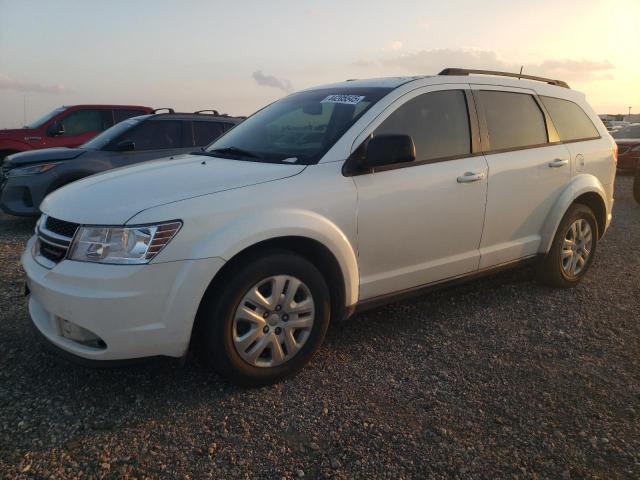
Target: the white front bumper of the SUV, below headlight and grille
(136, 311)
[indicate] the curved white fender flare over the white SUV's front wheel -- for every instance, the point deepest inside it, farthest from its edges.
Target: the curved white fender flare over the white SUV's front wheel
(228, 240)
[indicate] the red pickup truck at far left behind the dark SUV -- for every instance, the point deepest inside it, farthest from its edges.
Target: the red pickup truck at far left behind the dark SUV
(66, 127)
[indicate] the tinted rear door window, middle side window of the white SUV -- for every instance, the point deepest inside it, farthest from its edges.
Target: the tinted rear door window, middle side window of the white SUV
(514, 120)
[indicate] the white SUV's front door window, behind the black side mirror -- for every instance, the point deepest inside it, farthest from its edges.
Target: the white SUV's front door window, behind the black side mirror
(438, 122)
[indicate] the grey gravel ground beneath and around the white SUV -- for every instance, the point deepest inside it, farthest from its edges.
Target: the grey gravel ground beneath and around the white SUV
(501, 377)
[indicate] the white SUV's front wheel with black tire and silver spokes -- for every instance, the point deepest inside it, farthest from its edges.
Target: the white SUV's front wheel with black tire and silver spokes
(266, 321)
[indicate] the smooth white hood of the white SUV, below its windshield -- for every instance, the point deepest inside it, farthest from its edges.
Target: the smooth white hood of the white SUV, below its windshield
(113, 197)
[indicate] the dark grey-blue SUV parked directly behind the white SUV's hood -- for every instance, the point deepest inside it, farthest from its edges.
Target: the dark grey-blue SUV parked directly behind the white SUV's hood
(28, 177)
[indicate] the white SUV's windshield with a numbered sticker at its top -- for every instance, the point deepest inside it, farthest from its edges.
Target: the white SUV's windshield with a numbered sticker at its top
(299, 128)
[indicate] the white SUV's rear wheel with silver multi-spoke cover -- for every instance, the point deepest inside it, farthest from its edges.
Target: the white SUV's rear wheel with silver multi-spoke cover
(572, 250)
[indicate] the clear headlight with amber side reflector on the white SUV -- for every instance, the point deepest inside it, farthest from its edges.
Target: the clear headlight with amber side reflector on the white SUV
(122, 245)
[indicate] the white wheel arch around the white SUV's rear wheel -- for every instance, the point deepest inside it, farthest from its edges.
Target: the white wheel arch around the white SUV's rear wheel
(584, 189)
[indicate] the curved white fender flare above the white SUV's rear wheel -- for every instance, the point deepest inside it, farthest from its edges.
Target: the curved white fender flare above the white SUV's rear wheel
(579, 185)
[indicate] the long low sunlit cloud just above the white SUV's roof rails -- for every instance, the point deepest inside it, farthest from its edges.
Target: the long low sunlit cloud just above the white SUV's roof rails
(428, 62)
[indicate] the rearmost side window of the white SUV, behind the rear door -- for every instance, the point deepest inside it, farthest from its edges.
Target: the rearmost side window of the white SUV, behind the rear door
(569, 119)
